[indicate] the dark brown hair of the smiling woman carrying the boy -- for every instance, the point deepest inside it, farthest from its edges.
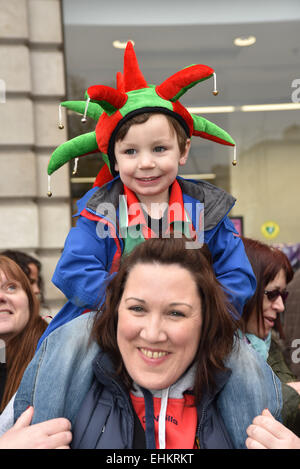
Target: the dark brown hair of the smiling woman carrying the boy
(218, 327)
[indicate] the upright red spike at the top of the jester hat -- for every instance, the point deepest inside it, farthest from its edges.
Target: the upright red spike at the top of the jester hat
(133, 77)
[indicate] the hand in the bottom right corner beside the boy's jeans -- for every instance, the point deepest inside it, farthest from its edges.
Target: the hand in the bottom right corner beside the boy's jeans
(267, 433)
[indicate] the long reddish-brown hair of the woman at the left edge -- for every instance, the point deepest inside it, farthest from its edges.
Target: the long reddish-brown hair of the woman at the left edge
(20, 348)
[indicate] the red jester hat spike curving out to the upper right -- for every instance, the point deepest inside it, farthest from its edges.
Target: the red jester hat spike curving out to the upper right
(176, 85)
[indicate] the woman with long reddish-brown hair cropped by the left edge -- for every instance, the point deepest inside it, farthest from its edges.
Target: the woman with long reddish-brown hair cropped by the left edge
(21, 325)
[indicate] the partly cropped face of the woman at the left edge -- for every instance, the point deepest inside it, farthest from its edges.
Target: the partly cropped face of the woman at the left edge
(14, 307)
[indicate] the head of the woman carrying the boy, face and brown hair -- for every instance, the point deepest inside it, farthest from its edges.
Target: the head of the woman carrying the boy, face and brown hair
(158, 299)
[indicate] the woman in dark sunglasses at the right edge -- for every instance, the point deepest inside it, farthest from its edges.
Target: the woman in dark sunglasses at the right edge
(263, 315)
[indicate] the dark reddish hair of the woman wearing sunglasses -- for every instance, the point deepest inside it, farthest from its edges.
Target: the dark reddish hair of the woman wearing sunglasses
(266, 262)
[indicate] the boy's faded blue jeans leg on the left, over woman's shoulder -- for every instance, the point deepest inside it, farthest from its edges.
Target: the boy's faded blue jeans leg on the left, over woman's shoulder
(60, 373)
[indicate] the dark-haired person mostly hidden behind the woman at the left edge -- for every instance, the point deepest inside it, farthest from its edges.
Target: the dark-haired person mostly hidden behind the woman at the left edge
(32, 268)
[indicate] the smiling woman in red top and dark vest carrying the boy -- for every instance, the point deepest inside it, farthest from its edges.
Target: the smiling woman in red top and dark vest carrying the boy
(166, 328)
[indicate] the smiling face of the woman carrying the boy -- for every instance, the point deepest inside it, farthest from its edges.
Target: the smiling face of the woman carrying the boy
(159, 324)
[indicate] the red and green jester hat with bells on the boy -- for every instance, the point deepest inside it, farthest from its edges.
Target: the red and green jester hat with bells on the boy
(111, 107)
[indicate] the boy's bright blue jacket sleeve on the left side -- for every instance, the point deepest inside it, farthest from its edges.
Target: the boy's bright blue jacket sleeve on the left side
(83, 269)
